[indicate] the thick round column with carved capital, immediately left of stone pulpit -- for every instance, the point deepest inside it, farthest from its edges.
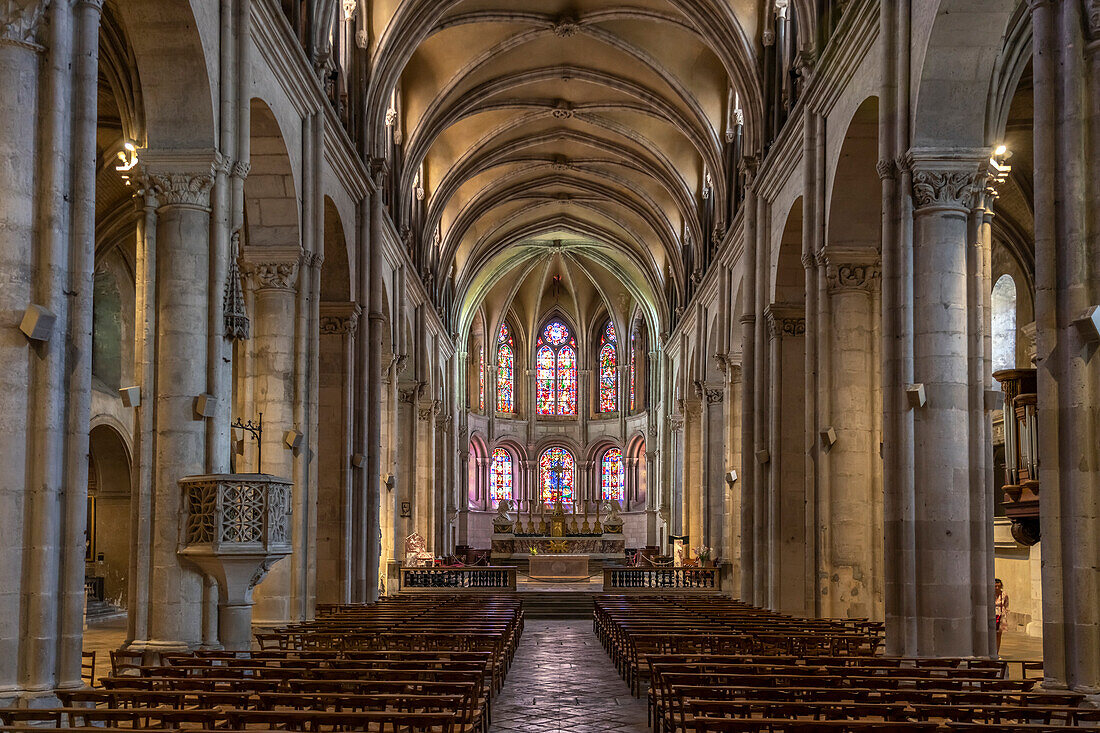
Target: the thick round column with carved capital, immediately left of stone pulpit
(182, 184)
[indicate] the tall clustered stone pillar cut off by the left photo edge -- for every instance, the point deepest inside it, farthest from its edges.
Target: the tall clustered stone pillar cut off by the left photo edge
(35, 266)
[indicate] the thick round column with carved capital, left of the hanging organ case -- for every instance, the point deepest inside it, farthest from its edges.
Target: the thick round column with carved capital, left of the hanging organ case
(944, 191)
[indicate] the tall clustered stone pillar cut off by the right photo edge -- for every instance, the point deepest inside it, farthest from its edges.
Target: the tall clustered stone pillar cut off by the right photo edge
(1068, 285)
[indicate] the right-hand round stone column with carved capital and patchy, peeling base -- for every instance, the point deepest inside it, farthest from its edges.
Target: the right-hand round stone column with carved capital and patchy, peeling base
(850, 565)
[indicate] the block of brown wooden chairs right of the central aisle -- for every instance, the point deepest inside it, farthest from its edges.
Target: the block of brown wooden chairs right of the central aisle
(701, 683)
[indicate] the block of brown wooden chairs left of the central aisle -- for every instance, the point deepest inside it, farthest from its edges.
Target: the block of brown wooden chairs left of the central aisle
(416, 666)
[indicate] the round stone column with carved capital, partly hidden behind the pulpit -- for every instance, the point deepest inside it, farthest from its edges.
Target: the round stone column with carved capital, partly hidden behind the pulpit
(274, 281)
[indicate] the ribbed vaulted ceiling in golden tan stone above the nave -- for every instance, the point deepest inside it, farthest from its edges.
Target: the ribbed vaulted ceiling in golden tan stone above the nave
(575, 135)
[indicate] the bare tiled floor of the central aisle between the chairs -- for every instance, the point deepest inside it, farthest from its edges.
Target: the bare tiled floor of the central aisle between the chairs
(563, 682)
